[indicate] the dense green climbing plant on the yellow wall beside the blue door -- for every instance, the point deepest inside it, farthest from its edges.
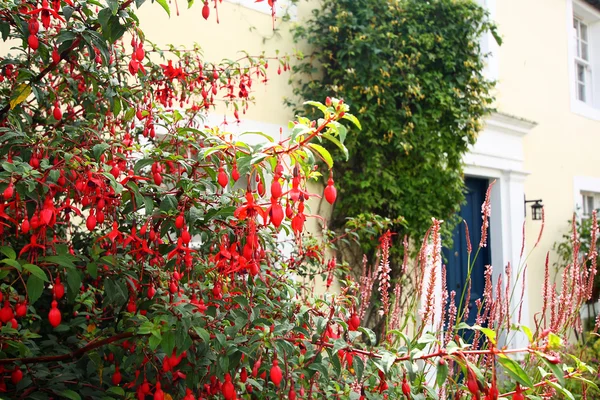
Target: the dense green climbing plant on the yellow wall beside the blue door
(412, 71)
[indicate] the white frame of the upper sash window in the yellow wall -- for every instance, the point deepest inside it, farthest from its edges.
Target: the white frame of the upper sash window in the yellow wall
(585, 102)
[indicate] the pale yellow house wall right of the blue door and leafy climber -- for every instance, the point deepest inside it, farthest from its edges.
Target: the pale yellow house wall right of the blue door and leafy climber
(534, 83)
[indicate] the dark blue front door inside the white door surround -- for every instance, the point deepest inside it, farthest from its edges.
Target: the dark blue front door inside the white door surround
(457, 257)
